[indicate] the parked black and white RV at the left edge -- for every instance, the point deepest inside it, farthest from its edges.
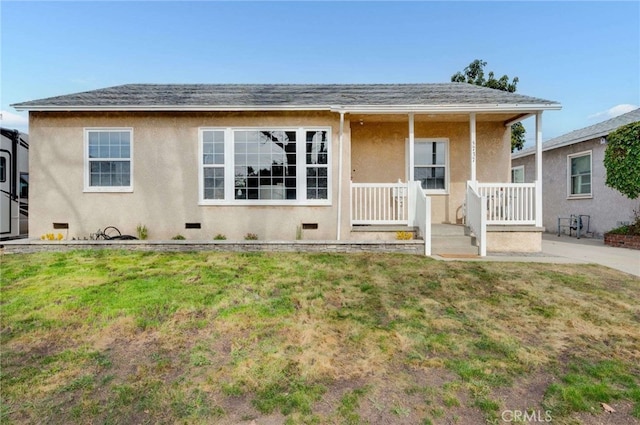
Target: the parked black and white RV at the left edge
(14, 184)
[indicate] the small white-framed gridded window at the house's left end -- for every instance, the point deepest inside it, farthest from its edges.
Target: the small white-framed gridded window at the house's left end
(108, 160)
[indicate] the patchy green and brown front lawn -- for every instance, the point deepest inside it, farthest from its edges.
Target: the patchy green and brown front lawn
(123, 337)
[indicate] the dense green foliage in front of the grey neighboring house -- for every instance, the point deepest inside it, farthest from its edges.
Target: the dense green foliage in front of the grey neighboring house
(622, 160)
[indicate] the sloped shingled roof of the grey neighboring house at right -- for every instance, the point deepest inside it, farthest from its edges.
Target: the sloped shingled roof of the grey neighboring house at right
(587, 133)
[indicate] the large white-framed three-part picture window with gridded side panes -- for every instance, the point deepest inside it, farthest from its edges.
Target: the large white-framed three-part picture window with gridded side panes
(264, 166)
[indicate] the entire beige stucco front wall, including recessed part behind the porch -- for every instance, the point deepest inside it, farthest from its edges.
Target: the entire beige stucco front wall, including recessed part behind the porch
(165, 176)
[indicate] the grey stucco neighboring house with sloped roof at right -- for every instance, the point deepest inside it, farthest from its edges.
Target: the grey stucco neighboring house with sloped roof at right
(574, 177)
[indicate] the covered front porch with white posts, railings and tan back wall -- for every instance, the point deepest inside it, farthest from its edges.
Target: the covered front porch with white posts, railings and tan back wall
(449, 169)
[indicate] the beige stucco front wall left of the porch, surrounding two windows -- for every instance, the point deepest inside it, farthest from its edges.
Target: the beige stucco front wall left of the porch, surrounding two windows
(165, 179)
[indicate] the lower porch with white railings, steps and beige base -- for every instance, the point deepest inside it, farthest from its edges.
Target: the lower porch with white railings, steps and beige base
(498, 217)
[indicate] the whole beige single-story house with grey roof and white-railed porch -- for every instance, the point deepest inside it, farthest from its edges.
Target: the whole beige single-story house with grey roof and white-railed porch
(275, 160)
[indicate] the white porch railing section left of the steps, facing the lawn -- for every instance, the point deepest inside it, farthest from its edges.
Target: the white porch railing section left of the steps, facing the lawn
(379, 203)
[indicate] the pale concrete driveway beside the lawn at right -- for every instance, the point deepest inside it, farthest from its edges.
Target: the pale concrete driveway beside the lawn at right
(591, 251)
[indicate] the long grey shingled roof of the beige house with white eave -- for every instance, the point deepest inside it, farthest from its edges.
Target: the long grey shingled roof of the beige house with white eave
(335, 97)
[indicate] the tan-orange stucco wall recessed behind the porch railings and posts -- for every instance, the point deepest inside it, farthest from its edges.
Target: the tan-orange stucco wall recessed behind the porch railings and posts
(378, 155)
